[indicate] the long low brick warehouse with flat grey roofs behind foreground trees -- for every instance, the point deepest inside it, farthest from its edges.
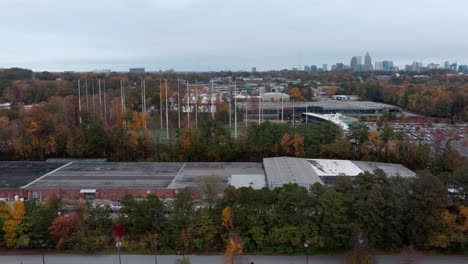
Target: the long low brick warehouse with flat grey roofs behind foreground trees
(91, 179)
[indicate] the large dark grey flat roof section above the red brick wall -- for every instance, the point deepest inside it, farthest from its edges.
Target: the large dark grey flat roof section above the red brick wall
(110, 175)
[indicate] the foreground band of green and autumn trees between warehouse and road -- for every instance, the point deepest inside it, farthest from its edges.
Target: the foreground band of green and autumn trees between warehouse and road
(371, 210)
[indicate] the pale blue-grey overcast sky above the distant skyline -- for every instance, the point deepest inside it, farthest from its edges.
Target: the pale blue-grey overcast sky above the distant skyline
(227, 34)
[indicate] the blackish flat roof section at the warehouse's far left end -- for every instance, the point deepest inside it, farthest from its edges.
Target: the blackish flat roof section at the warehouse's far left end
(14, 174)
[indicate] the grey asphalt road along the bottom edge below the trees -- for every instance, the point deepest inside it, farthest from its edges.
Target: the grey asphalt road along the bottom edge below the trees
(170, 259)
